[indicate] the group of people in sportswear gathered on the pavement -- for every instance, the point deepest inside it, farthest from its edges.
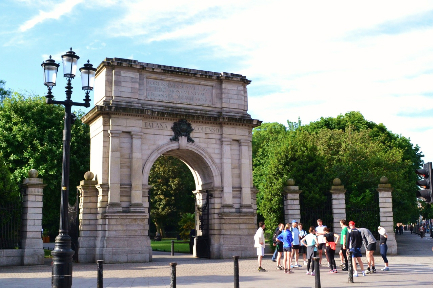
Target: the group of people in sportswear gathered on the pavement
(291, 240)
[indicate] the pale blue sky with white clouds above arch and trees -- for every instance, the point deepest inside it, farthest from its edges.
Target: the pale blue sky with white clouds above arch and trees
(307, 60)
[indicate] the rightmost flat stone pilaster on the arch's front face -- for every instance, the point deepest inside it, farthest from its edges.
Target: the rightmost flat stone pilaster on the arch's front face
(245, 175)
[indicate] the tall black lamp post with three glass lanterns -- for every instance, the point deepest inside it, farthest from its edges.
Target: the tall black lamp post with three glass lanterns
(62, 253)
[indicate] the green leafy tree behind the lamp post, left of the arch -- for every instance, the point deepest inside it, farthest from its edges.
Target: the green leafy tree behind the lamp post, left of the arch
(31, 138)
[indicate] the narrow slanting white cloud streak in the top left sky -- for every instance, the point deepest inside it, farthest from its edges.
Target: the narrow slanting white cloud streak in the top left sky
(56, 12)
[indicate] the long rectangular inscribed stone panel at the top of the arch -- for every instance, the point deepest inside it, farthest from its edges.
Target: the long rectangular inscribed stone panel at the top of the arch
(177, 92)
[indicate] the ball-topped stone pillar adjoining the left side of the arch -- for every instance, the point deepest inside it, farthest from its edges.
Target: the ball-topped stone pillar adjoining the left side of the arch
(88, 219)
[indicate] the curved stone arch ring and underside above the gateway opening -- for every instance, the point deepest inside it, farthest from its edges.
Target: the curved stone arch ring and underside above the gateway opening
(202, 165)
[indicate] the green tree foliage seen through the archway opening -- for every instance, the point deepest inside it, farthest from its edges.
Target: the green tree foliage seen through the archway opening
(171, 193)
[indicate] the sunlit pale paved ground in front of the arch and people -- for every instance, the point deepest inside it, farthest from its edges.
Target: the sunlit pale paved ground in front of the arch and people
(413, 267)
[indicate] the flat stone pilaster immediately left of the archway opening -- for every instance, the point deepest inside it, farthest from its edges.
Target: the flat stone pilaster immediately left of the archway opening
(136, 173)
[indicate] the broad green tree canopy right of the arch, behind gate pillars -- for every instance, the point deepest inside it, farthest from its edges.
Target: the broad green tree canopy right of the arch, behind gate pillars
(348, 147)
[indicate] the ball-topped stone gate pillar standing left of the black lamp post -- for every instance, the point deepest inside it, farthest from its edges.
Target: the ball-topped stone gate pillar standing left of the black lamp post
(31, 227)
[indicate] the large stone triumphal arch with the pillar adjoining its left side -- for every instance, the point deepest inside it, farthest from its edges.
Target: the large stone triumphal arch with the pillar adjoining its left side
(143, 111)
